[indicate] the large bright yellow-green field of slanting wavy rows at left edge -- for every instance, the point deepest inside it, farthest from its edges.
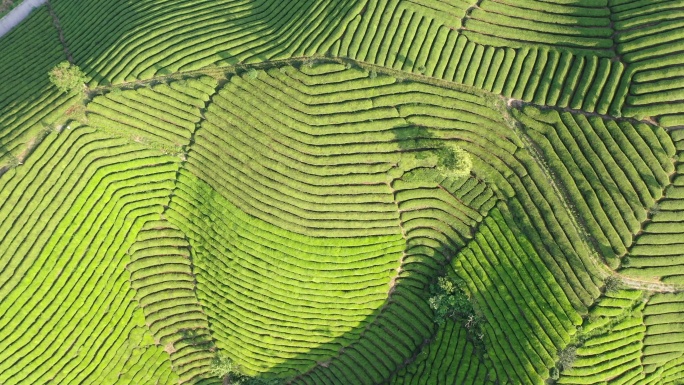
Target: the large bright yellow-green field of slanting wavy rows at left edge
(100, 310)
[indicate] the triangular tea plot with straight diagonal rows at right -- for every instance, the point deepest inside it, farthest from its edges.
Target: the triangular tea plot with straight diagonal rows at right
(613, 171)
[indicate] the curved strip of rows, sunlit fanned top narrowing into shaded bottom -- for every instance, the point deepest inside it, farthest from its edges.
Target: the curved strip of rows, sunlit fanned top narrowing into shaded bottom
(438, 216)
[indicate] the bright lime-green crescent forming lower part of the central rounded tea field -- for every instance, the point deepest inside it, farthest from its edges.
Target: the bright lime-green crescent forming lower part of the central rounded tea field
(283, 304)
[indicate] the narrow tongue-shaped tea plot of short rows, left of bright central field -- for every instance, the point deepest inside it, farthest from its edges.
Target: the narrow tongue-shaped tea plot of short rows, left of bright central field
(162, 276)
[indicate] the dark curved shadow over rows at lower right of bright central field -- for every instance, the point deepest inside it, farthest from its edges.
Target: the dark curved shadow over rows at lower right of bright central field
(375, 349)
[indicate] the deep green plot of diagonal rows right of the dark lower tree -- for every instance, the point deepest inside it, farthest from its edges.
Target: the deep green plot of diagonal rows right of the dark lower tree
(477, 266)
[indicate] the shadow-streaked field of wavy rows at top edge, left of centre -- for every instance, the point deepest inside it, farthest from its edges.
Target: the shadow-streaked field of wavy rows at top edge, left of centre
(115, 43)
